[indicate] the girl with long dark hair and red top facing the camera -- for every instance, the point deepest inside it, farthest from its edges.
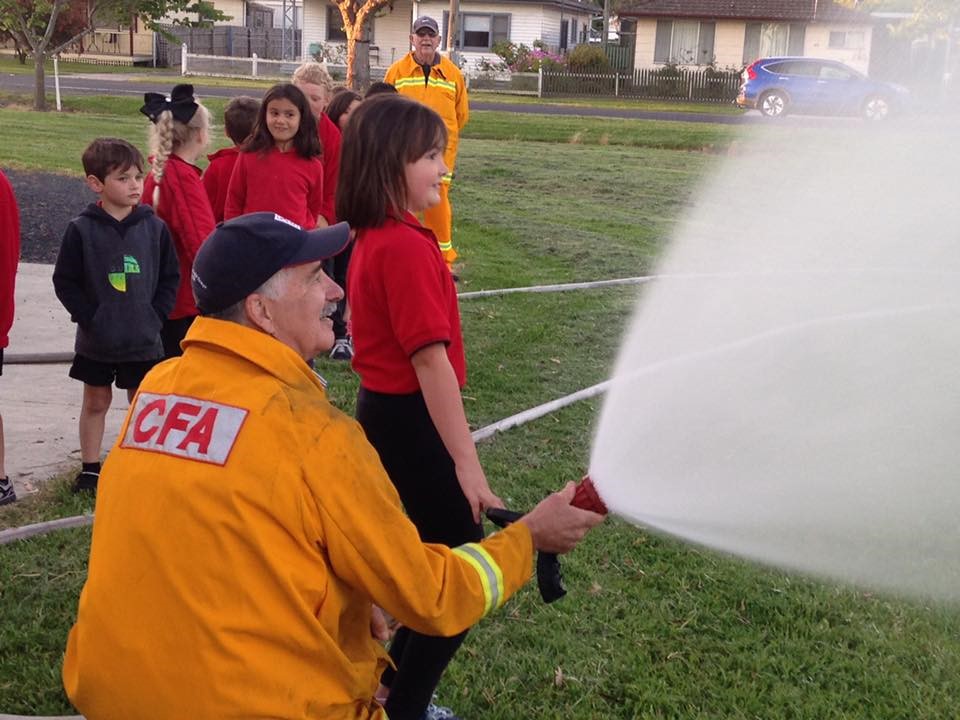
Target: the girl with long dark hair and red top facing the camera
(279, 168)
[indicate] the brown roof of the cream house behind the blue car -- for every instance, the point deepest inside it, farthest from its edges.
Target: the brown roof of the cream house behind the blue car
(797, 10)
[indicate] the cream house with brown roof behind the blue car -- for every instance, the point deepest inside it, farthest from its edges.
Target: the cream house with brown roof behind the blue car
(734, 33)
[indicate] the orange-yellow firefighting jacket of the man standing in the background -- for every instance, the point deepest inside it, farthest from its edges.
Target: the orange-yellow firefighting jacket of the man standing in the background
(445, 91)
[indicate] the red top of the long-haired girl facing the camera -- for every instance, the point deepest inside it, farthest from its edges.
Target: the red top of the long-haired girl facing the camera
(282, 183)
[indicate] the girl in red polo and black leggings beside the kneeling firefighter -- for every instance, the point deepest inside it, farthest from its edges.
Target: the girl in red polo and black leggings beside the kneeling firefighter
(409, 355)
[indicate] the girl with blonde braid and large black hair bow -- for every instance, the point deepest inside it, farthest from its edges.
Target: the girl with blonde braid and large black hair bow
(179, 133)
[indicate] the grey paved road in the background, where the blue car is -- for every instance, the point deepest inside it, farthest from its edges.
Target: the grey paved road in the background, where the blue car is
(98, 84)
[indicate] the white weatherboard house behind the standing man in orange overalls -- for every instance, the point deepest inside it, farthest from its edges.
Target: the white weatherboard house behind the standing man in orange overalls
(560, 24)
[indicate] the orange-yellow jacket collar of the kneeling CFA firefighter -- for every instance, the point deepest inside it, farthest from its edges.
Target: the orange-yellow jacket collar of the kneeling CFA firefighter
(256, 347)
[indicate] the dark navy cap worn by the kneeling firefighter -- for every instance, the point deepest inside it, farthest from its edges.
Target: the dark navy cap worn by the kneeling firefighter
(243, 253)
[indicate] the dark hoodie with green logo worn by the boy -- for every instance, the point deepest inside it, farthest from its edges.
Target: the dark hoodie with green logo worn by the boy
(118, 280)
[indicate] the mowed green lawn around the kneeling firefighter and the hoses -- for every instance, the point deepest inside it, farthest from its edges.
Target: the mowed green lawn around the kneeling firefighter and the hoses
(651, 627)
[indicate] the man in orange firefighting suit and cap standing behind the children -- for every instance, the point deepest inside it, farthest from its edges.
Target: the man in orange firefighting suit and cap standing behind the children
(428, 77)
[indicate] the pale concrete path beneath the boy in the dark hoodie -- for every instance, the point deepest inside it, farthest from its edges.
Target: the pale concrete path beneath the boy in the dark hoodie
(40, 403)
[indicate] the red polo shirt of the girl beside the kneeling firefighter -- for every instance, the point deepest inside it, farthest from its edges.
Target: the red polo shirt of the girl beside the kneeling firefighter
(402, 298)
